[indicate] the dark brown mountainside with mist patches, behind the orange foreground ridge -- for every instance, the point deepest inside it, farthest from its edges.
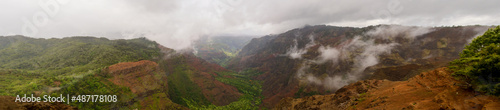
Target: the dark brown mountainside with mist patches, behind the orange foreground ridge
(321, 59)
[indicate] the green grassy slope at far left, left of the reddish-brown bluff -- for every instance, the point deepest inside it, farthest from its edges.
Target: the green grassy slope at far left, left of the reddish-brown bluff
(43, 66)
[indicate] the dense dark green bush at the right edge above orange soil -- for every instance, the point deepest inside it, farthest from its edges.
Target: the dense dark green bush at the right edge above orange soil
(479, 63)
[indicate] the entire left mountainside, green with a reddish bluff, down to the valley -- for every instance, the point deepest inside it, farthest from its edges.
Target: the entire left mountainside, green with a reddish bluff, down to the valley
(82, 66)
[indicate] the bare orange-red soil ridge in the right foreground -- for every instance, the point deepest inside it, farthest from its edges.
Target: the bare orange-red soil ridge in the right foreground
(433, 90)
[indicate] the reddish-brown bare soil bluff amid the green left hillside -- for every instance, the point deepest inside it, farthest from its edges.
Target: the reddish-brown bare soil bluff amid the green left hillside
(145, 79)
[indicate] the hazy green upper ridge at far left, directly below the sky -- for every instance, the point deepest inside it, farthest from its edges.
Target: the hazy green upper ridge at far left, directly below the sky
(76, 53)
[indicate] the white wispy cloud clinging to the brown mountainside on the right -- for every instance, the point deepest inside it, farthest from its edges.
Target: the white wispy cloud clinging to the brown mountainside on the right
(365, 53)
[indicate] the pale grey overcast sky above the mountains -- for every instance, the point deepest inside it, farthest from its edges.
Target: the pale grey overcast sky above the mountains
(175, 23)
